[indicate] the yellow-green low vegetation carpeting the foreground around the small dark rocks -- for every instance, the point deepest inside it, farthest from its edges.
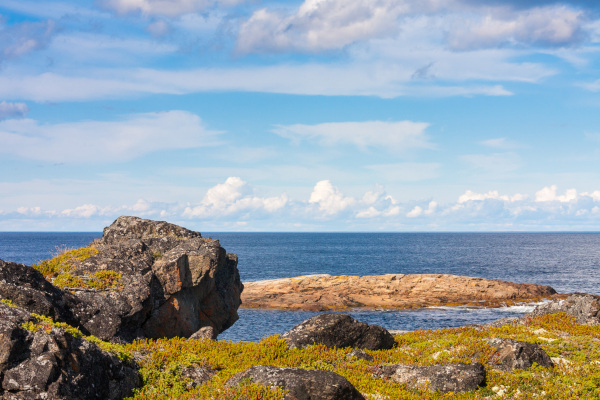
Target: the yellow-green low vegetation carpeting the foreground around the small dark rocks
(574, 348)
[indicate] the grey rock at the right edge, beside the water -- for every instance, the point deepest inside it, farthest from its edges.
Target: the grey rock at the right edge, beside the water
(585, 307)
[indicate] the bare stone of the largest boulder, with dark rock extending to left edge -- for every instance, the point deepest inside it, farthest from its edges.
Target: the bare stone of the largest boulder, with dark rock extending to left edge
(173, 283)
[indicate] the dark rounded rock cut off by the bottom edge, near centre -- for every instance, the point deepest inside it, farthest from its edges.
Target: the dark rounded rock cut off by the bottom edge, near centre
(301, 384)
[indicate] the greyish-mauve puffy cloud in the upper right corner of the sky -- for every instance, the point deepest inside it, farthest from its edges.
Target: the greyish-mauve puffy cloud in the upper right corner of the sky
(550, 25)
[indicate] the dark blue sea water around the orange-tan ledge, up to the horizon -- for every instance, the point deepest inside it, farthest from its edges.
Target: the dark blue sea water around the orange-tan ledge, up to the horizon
(569, 262)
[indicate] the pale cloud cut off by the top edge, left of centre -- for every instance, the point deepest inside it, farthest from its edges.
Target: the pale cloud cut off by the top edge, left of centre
(167, 8)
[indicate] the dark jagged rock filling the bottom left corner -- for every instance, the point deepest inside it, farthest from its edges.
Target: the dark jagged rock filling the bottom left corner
(52, 364)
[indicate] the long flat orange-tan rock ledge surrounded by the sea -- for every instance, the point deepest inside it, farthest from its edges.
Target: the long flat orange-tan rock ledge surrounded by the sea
(327, 292)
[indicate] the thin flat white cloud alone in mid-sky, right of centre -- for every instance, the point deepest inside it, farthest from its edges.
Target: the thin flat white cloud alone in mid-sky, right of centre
(395, 136)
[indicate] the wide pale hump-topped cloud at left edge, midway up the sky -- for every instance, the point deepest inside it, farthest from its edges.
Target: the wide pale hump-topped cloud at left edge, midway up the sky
(104, 141)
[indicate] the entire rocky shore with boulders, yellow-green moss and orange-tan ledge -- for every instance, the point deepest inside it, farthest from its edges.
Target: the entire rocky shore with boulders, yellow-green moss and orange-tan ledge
(111, 320)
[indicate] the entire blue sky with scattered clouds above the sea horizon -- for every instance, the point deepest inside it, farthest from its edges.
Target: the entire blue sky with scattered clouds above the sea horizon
(315, 115)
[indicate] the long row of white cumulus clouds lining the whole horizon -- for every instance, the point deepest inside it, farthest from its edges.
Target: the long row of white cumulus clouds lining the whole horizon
(235, 204)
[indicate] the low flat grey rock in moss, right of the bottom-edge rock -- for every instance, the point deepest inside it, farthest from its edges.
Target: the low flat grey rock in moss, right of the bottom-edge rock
(436, 378)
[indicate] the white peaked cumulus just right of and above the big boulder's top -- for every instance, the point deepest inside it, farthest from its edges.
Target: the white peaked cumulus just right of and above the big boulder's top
(234, 196)
